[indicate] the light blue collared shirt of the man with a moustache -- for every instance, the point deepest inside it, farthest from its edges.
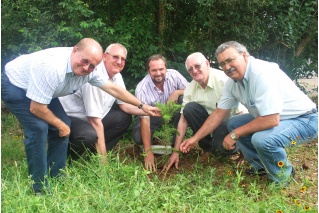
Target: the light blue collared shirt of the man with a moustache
(265, 90)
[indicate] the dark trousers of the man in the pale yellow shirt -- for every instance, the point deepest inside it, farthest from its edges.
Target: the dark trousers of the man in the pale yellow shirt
(196, 115)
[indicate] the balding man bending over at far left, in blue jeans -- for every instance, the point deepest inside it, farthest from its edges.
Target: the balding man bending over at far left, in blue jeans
(31, 85)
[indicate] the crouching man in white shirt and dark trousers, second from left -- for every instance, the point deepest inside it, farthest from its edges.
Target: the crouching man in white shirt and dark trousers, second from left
(96, 125)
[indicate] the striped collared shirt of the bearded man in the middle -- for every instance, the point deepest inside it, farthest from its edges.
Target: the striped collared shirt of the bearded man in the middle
(147, 92)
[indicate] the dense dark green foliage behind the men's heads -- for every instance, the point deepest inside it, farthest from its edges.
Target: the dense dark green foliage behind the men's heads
(276, 30)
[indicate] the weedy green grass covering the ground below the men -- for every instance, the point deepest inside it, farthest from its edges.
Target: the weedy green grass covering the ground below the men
(122, 185)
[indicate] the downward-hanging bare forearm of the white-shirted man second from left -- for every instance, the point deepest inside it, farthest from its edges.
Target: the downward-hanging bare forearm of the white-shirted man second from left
(99, 128)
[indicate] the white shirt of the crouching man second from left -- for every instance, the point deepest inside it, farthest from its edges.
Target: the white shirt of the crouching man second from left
(91, 101)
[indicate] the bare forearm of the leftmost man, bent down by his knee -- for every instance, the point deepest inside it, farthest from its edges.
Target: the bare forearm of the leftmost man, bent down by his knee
(43, 112)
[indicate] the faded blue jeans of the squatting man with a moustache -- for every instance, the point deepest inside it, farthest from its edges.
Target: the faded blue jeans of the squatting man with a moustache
(266, 148)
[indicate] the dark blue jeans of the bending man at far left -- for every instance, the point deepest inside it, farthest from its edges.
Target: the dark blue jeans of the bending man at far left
(42, 160)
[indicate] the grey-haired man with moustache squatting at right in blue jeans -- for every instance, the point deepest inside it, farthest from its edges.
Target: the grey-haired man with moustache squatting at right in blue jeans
(280, 115)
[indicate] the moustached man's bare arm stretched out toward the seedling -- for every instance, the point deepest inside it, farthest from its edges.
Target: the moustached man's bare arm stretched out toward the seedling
(211, 123)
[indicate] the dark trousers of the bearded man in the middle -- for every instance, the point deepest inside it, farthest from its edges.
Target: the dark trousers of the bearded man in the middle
(156, 123)
